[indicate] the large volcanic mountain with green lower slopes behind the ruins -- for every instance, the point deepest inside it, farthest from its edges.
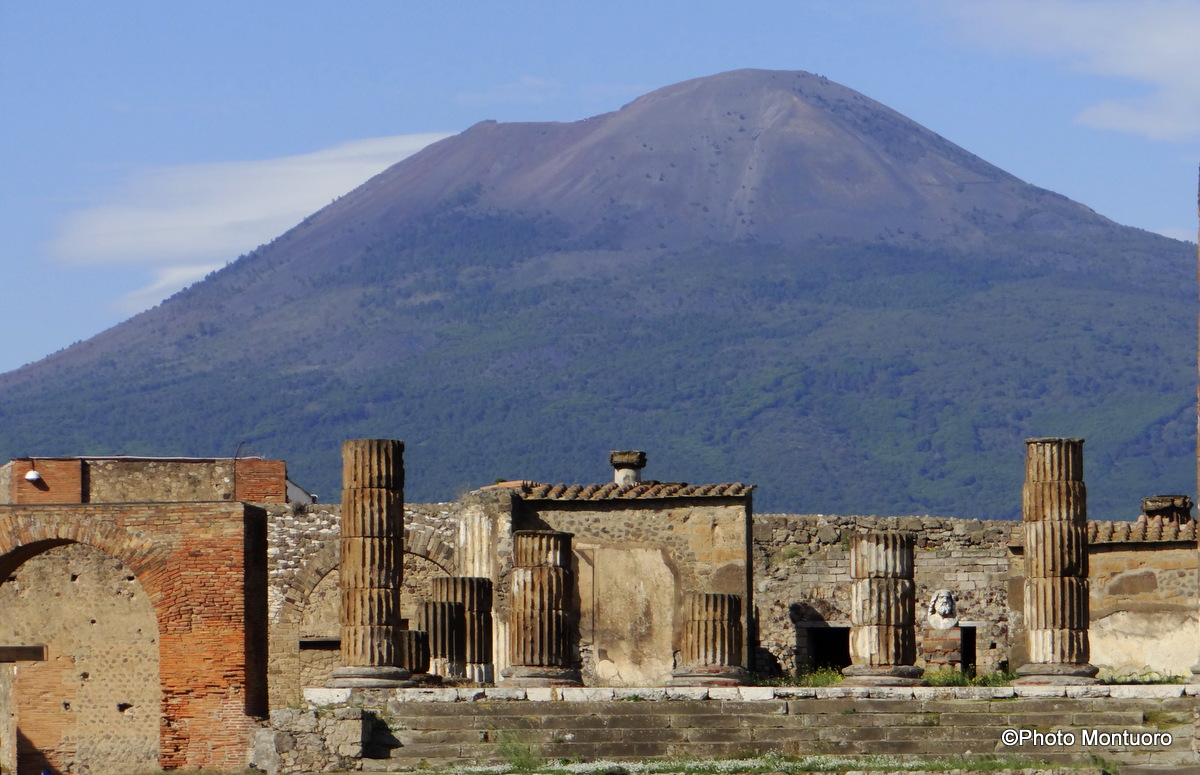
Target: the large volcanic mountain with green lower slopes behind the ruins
(758, 277)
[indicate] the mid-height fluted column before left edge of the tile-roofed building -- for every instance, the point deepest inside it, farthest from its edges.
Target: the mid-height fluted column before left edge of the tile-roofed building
(541, 650)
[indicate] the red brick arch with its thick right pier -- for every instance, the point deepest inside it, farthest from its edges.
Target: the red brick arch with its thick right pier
(203, 568)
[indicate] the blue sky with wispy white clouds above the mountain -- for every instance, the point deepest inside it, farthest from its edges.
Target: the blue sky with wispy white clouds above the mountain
(147, 143)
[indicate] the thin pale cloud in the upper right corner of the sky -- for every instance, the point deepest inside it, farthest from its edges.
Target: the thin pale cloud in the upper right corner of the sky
(1150, 43)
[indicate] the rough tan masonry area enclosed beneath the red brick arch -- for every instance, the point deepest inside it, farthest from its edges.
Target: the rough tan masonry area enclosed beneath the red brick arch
(93, 707)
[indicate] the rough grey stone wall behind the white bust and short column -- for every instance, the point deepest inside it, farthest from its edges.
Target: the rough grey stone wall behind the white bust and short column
(802, 580)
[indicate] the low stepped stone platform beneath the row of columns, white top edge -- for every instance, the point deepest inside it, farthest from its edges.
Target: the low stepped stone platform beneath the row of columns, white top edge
(391, 730)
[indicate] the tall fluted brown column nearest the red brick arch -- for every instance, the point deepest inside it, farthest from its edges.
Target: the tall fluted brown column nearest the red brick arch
(373, 563)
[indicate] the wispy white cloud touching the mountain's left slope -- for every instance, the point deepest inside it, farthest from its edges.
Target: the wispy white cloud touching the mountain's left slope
(182, 223)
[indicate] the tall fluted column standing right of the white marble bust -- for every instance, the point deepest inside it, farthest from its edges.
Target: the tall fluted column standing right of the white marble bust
(1054, 507)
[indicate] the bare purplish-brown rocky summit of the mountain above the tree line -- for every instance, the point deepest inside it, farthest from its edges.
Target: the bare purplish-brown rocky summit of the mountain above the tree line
(751, 155)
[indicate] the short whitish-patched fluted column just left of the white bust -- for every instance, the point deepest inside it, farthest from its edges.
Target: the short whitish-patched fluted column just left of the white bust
(884, 612)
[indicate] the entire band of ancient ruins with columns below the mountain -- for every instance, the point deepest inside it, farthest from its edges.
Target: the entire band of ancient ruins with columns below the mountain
(587, 593)
